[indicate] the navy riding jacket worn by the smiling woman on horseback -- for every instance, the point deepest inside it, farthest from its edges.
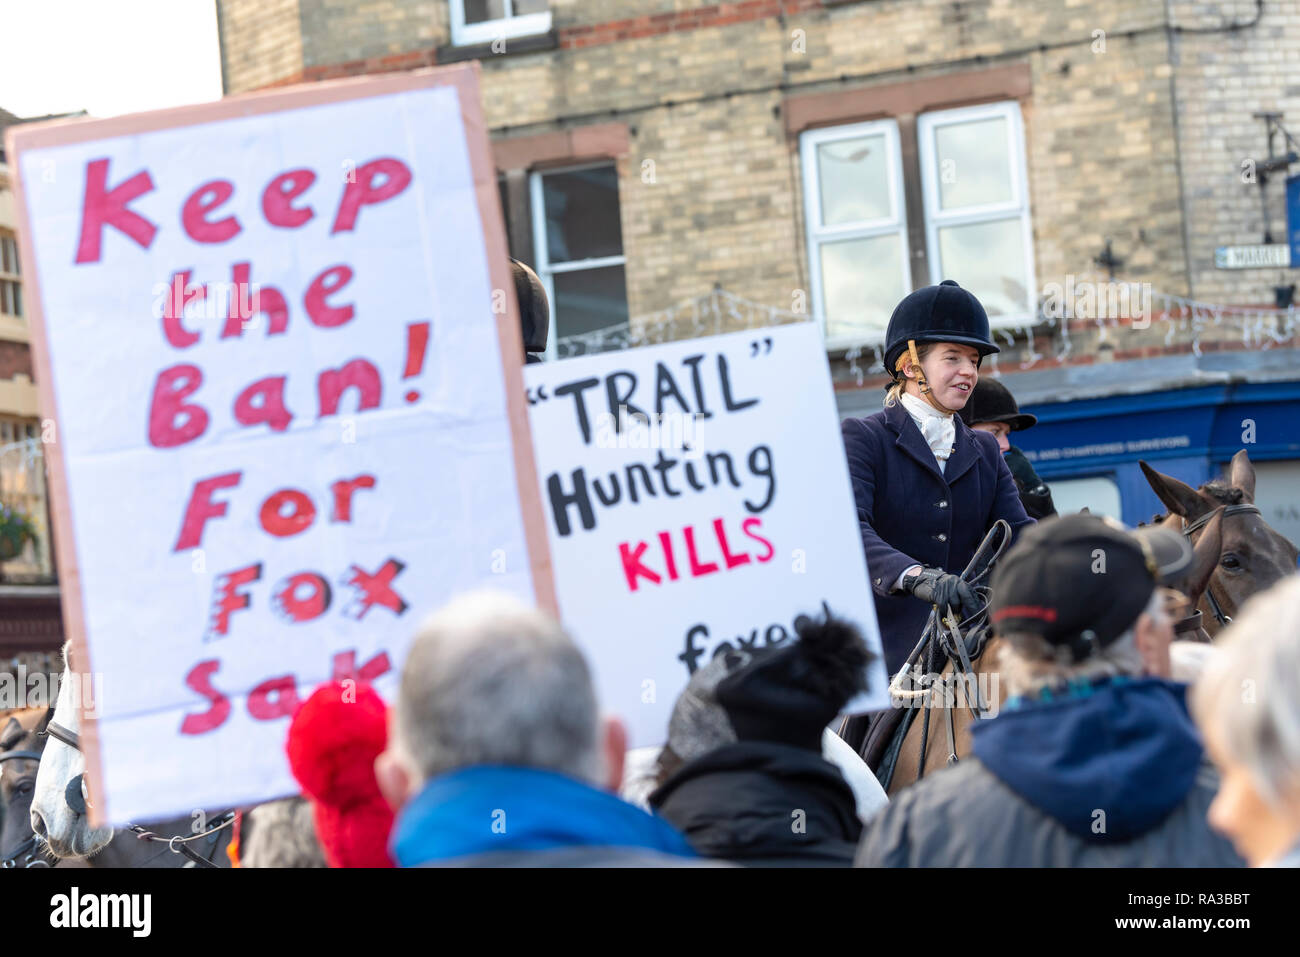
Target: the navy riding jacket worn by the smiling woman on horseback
(912, 514)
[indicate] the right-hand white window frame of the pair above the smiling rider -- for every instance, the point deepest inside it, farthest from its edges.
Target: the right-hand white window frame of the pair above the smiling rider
(1019, 206)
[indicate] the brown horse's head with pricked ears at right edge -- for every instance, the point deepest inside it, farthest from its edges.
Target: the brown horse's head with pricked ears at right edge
(1253, 557)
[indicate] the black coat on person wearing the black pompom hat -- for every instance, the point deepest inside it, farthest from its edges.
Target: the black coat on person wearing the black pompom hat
(764, 804)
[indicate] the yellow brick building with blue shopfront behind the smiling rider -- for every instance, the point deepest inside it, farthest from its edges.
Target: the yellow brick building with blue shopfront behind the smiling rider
(1061, 158)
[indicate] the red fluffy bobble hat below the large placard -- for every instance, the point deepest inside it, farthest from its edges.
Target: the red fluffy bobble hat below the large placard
(333, 742)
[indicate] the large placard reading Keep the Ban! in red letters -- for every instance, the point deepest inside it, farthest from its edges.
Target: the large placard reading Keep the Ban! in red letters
(275, 336)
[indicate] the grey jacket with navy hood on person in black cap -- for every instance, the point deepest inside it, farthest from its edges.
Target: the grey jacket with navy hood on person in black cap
(1110, 776)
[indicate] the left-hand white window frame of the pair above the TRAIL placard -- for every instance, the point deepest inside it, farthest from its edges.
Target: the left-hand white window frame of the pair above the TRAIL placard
(817, 233)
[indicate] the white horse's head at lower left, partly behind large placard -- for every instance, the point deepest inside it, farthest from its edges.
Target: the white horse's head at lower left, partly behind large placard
(58, 817)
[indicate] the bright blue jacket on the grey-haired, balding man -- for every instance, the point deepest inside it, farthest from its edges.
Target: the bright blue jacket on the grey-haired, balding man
(518, 813)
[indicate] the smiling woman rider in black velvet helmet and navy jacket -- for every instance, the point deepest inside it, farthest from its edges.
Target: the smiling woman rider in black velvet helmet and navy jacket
(928, 487)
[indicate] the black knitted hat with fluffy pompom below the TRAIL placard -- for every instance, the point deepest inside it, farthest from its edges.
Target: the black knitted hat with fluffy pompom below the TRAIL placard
(790, 694)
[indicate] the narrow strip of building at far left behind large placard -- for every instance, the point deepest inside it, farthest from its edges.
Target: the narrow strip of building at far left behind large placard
(29, 595)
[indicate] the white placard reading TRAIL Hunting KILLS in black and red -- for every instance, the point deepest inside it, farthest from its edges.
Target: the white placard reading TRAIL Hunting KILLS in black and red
(697, 499)
